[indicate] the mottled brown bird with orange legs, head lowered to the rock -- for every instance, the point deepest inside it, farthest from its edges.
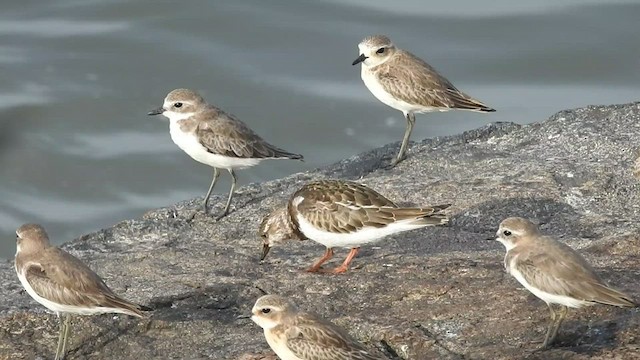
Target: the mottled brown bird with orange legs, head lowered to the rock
(344, 214)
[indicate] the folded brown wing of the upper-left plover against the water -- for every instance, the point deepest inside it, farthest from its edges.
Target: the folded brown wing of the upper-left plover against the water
(223, 134)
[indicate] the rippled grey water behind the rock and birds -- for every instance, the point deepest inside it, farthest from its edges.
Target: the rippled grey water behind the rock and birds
(78, 153)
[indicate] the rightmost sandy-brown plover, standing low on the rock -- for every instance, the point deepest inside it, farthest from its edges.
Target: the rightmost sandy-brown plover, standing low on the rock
(553, 272)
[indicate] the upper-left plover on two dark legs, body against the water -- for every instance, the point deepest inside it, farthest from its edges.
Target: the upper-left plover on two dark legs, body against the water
(215, 138)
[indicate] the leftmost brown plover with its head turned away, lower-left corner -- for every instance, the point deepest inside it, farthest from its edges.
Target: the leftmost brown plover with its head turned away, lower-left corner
(62, 283)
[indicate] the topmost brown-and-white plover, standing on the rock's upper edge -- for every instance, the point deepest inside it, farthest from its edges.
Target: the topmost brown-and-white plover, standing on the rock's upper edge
(405, 82)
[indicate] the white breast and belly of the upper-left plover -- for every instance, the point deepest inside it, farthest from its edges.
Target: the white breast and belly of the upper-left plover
(189, 143)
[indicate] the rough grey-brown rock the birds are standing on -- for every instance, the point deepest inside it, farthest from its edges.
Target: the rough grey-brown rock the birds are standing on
(435, 293)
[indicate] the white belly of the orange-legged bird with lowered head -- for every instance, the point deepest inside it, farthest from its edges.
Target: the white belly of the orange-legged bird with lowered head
(351, 240)
